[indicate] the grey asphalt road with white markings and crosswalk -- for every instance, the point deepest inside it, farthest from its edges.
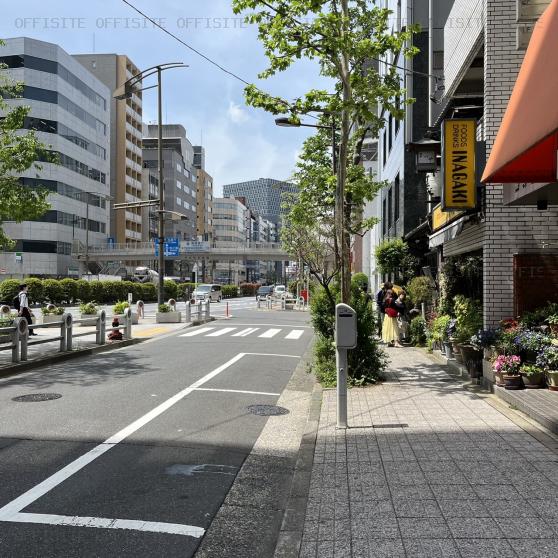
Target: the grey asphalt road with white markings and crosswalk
(137, 455)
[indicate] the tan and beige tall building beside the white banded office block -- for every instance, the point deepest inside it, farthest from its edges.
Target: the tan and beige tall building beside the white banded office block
(125, 146)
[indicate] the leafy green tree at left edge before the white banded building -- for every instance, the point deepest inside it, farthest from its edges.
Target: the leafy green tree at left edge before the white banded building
(19, 152)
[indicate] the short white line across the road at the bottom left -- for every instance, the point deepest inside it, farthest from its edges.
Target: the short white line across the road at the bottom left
(104, 523)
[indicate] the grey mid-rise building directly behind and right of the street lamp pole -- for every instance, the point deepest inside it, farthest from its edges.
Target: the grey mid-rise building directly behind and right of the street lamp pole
(179, 176)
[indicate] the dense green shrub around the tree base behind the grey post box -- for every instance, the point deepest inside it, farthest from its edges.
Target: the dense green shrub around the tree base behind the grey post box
(367, 361)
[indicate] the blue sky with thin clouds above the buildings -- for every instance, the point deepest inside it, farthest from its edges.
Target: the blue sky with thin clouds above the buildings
(241, 143)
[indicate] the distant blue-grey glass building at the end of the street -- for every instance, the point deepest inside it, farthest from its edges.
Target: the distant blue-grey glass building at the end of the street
(262, 195)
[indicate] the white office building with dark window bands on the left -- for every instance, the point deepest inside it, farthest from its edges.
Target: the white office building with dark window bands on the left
(70, 110)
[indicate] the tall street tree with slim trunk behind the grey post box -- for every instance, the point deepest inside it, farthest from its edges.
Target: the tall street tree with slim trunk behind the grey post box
(346, 38)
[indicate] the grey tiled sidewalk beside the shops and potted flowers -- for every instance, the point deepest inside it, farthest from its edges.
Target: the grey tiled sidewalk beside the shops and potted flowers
(428, 469)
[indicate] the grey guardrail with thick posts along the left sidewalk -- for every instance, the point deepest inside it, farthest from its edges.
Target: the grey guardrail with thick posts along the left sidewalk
(19, 342)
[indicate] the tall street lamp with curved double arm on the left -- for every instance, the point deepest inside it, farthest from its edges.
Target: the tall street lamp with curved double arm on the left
(124, 92)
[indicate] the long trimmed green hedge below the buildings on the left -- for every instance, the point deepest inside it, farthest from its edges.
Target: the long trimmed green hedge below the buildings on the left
(72, 291)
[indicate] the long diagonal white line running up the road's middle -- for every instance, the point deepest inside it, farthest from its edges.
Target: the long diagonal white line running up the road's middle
(11, 511)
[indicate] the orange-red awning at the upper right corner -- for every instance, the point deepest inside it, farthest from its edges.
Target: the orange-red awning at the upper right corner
(526, 147)
